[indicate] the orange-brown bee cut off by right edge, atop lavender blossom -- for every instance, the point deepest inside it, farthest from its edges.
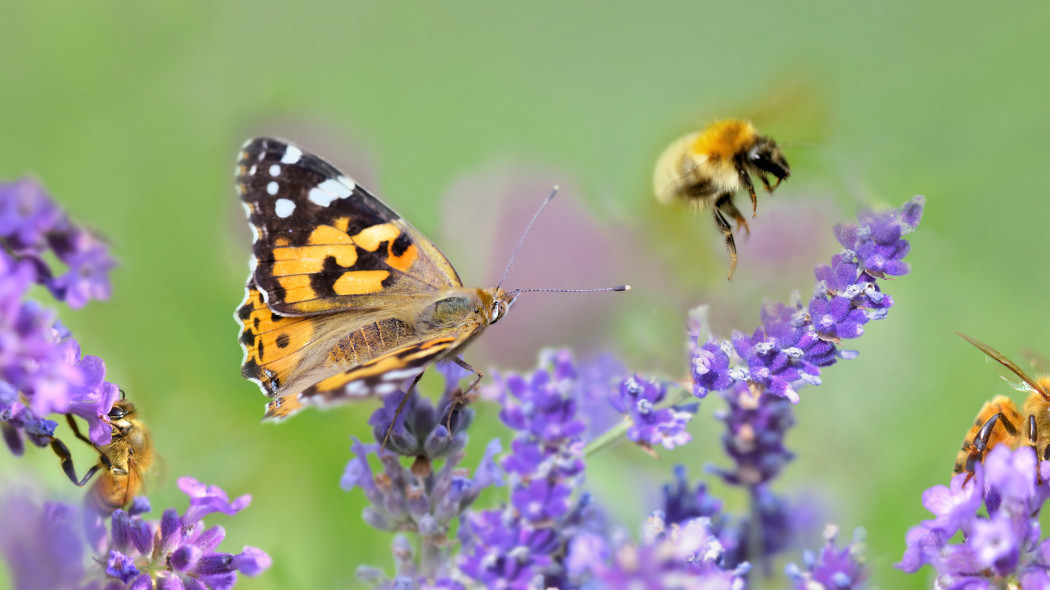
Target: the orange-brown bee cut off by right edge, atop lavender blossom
(1000, 423)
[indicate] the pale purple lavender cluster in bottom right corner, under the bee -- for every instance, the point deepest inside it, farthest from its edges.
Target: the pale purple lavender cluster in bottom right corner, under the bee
(996, 510)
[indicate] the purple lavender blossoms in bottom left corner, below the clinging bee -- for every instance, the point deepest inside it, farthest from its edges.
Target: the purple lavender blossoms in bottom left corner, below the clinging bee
(47, 545)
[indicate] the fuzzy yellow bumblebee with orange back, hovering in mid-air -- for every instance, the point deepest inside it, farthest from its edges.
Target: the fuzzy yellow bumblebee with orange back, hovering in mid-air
(707, 168)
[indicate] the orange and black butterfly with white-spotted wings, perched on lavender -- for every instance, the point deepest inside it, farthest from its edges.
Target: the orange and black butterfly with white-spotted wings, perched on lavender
(346, 300)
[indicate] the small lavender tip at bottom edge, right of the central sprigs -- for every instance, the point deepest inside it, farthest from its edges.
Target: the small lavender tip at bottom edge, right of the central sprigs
(833, 568)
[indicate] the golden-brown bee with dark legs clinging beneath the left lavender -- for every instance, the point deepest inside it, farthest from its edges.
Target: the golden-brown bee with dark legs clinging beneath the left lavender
(123, 462)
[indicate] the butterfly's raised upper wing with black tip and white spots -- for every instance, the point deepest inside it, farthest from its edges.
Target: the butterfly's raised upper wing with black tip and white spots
(324, 244)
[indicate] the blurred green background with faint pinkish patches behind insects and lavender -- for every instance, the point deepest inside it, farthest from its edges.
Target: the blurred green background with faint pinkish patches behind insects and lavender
(463, 116)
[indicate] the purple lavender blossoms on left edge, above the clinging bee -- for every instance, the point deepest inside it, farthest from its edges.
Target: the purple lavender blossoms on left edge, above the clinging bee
(43, 372)
